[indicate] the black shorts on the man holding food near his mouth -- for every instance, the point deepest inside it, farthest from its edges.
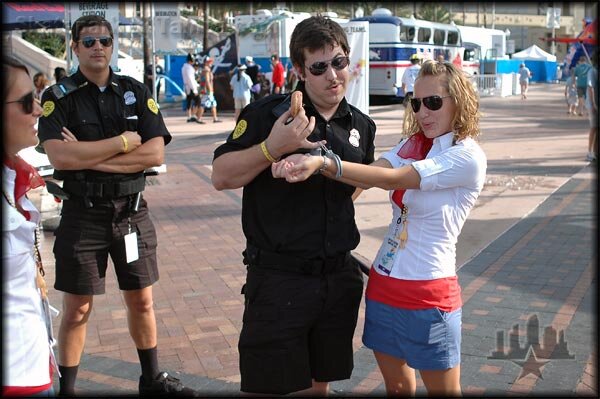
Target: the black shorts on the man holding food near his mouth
(298, 327)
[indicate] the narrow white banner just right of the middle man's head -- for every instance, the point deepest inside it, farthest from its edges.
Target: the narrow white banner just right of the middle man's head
(357, 92)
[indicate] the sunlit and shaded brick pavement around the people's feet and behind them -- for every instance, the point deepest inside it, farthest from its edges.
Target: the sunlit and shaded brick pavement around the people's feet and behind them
(526, 262)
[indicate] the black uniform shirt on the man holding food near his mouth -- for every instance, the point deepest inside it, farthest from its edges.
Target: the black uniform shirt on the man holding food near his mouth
(311, 219)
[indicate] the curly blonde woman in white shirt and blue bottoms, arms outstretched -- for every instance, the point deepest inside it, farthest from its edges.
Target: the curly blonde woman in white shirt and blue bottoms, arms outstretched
(413, 301)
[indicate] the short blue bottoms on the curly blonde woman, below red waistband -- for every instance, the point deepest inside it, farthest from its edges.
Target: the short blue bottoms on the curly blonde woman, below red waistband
(427, 339)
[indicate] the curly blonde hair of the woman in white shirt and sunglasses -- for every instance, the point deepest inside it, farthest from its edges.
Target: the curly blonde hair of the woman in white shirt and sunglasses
(466, 120)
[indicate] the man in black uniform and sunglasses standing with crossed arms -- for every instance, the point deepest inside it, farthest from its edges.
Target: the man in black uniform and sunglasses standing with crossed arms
(101, 131)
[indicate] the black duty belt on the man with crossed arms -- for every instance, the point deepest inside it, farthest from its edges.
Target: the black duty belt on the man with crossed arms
(93, 189)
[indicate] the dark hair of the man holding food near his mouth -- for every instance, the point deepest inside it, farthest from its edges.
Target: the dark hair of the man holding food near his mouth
(313, 34)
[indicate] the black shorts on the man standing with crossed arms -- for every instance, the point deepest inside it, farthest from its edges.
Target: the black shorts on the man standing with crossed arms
(86, 236)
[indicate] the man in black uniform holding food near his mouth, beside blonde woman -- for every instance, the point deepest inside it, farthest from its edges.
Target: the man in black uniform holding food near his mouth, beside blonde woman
(303, 289)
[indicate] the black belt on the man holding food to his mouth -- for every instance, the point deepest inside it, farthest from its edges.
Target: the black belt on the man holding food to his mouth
(273, 260)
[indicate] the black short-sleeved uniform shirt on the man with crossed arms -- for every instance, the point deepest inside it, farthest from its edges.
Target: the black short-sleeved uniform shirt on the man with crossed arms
(93, 115)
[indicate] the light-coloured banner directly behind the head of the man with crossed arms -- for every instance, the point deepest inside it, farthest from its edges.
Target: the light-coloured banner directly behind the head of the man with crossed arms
(109, 11)
